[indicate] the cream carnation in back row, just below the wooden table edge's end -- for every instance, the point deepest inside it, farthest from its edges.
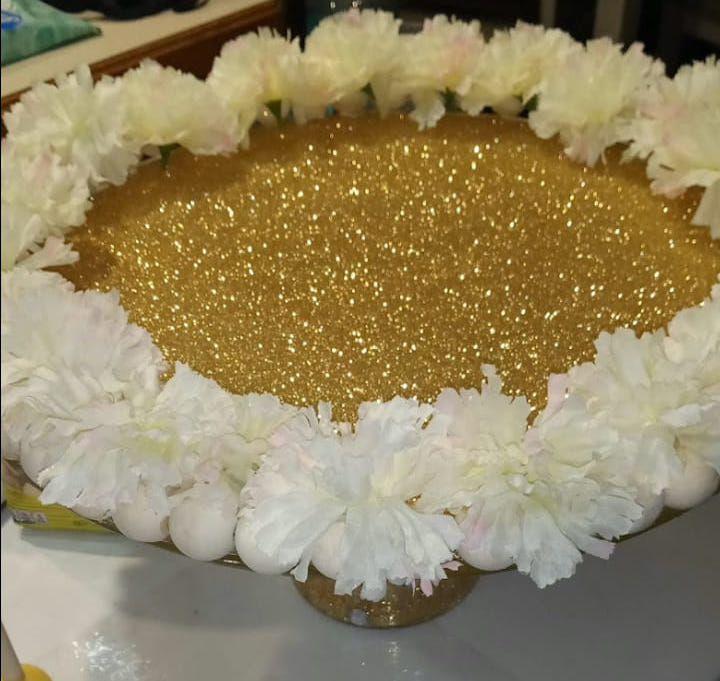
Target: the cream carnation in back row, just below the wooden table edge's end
(254, 70)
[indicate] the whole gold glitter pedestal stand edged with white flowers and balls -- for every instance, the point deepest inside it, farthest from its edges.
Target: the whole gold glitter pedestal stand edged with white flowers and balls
(522, 351)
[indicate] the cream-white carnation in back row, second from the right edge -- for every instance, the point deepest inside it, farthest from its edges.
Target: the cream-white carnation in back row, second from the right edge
(591, 97)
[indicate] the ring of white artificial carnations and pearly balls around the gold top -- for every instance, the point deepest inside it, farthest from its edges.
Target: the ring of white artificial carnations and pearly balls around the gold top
(410, 487)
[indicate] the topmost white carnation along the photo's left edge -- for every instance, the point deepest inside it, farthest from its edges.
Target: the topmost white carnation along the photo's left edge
(83, 124)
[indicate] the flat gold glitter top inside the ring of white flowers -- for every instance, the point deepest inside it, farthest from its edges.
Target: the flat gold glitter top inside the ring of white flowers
(352, 260)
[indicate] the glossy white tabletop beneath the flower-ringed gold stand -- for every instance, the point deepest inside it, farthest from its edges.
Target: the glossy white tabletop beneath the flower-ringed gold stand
(102, 608)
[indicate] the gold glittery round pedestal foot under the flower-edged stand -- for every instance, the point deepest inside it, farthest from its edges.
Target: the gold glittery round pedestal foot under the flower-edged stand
(401, 607)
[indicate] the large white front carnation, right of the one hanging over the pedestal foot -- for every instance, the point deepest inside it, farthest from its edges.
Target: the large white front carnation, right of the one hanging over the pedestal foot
(536, 497)
